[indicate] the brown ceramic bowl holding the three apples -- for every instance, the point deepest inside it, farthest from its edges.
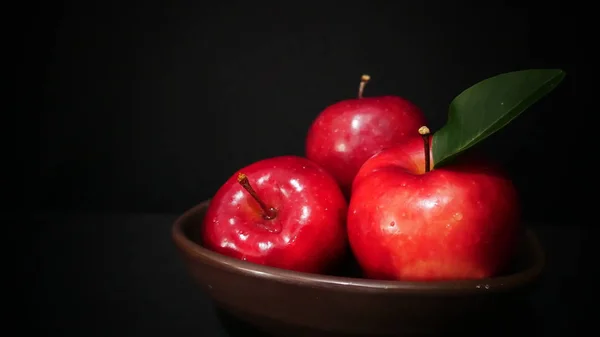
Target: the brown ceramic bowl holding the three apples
(286, 303)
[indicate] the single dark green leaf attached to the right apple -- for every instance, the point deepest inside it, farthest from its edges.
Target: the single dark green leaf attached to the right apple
(488, 106)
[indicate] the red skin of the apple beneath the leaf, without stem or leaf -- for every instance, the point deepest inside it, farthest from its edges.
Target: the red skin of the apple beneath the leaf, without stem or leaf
(453, 223)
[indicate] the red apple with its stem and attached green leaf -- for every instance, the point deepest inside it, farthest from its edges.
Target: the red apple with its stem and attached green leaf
(428, 209)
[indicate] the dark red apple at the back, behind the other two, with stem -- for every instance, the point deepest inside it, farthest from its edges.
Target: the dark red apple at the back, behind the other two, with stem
(345, 134)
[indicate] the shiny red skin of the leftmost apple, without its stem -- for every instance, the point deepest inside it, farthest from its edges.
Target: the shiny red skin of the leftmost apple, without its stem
(308, 233)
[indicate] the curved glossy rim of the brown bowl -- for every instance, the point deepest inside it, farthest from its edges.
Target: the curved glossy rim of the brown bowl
(245, 268)
